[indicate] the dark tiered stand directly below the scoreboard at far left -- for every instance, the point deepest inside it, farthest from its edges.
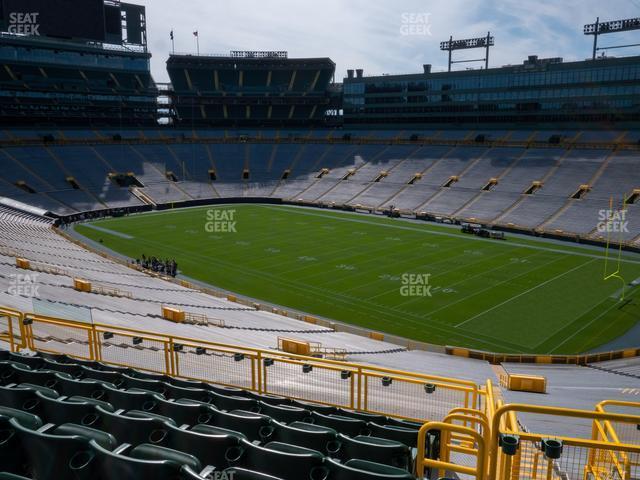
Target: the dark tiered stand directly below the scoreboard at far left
(55, 82)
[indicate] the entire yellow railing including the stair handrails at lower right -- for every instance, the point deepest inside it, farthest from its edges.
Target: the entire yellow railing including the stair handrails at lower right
(474, 426)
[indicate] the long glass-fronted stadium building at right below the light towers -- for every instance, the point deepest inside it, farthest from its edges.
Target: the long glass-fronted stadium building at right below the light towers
(538, 91)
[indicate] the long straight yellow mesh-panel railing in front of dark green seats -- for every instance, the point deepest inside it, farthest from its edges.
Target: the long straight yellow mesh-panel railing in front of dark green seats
(402, 394)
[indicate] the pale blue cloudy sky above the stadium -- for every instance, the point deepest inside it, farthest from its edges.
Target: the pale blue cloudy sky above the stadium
(384, 36)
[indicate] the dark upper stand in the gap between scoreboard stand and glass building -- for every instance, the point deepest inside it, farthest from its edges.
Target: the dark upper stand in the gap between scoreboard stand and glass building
(251, 88)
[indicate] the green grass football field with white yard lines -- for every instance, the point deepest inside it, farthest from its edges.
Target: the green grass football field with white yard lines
(518, 295)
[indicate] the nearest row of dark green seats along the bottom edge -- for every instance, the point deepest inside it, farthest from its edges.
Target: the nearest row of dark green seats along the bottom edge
(80, 452)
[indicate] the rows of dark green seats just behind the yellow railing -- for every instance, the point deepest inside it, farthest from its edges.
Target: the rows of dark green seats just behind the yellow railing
(150, 415)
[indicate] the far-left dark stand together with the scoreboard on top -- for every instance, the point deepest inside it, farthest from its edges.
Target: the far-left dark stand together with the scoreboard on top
(86, 66)
